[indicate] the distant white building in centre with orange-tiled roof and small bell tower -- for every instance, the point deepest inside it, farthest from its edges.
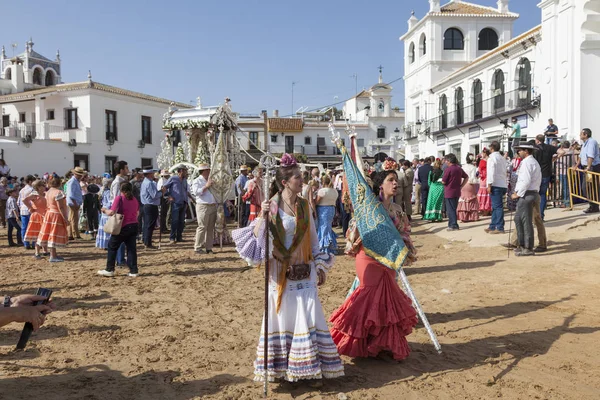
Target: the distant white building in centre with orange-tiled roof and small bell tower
(377, 123)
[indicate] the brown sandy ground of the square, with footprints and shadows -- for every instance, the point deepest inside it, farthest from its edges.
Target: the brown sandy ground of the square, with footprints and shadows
(187, 328)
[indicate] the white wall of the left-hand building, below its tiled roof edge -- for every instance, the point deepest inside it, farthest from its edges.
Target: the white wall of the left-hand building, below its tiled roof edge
(53, 155)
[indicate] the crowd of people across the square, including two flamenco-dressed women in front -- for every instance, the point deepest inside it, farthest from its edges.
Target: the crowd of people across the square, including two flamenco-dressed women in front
(298, 215)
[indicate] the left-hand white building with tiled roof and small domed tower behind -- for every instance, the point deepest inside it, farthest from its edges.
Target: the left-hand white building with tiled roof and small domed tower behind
(51, 126)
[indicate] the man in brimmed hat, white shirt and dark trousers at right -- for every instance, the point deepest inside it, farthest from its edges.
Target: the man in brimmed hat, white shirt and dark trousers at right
(527, 193)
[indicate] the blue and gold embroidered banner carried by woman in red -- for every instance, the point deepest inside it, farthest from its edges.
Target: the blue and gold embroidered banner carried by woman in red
(381, 240)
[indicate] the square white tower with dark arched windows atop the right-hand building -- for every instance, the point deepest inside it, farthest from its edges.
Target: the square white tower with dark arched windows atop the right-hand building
(446, 39)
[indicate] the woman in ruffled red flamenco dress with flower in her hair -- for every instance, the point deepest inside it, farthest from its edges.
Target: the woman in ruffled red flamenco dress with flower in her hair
(377, 316)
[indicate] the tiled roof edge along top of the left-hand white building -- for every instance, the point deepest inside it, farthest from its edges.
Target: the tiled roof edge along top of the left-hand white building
(67, 87)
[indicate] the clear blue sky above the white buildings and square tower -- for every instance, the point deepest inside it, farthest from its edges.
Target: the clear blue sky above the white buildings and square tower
(249, 50)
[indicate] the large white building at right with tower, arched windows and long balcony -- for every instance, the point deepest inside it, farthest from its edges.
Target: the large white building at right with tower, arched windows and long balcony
(466, 74)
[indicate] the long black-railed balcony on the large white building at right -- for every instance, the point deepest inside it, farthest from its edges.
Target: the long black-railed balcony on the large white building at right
(497, 107)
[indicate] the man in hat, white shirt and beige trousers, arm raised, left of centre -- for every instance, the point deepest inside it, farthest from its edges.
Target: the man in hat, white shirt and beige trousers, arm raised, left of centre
(206, 210)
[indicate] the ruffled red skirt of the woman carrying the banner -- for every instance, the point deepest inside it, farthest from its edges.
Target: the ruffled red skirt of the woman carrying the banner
(376, 317)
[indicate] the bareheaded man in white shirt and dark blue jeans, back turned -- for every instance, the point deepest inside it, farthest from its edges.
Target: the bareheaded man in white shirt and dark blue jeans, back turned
(497, 187)
